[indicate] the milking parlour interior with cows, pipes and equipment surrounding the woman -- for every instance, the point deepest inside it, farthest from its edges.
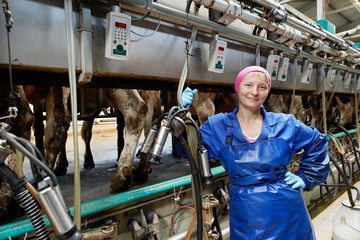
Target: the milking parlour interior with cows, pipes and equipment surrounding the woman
(70, 69)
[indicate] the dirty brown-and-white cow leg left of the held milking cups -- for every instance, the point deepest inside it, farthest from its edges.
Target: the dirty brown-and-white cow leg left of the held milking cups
(134, 110)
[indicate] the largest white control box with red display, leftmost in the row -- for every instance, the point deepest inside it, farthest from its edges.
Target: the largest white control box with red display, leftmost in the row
(117, 40)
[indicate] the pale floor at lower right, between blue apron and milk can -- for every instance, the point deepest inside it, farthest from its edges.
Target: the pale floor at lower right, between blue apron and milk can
(323, 223)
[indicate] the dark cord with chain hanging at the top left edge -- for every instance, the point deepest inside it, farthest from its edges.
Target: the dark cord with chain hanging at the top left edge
(12, 95)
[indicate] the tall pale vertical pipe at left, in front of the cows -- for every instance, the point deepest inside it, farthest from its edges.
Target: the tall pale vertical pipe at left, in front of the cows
(72, 84)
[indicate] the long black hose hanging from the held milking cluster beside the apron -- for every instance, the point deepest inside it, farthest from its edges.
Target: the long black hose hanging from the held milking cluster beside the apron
(195, 174)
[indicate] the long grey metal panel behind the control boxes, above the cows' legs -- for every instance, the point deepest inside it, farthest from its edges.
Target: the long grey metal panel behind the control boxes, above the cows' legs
(38, 40)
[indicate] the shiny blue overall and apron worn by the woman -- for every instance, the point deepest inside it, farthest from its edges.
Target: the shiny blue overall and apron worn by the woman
(262, 206)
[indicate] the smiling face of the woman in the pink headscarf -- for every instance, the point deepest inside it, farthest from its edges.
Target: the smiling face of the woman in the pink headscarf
(253, 90)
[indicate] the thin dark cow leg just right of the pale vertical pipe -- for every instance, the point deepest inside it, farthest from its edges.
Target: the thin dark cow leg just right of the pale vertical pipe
(86, 134)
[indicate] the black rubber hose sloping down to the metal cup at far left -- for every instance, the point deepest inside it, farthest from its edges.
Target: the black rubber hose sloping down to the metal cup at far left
(31, 157)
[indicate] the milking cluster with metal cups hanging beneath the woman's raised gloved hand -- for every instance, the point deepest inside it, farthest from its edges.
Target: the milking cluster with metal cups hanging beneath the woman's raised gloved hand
(176, 121)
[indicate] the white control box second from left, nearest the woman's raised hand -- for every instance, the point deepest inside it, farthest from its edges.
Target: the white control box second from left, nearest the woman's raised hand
(217, 56)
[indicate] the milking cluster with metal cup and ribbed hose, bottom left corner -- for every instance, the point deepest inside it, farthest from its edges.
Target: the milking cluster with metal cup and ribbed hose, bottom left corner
(45, 196)
